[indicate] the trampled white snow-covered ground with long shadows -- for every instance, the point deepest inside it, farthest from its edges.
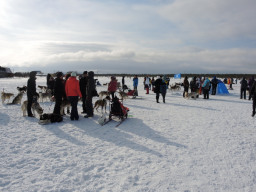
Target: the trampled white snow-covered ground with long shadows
(182, 145)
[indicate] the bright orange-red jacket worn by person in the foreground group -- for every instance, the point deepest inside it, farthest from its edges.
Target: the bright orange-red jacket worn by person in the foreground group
(72, 87)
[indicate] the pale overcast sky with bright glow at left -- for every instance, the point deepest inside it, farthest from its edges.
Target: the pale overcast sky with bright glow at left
(129, 36)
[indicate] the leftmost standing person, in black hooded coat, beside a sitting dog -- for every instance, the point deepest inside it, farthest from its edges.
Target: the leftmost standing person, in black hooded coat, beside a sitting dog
(31, 92)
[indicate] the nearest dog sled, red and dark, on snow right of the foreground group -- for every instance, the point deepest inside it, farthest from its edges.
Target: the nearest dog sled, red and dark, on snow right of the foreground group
(117, 111)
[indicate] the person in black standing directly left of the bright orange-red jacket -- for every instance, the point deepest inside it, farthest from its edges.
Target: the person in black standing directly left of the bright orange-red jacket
(59, 92)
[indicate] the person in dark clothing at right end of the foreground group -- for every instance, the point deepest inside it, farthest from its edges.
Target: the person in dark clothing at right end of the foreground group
(90, 91)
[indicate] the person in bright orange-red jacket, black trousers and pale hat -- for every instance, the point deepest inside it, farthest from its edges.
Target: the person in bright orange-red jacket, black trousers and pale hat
(73, 92)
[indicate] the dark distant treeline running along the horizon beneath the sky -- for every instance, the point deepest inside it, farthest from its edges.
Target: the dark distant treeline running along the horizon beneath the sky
(210, 75)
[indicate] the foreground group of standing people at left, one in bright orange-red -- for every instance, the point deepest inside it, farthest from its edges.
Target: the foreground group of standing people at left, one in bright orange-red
(66, 87)
